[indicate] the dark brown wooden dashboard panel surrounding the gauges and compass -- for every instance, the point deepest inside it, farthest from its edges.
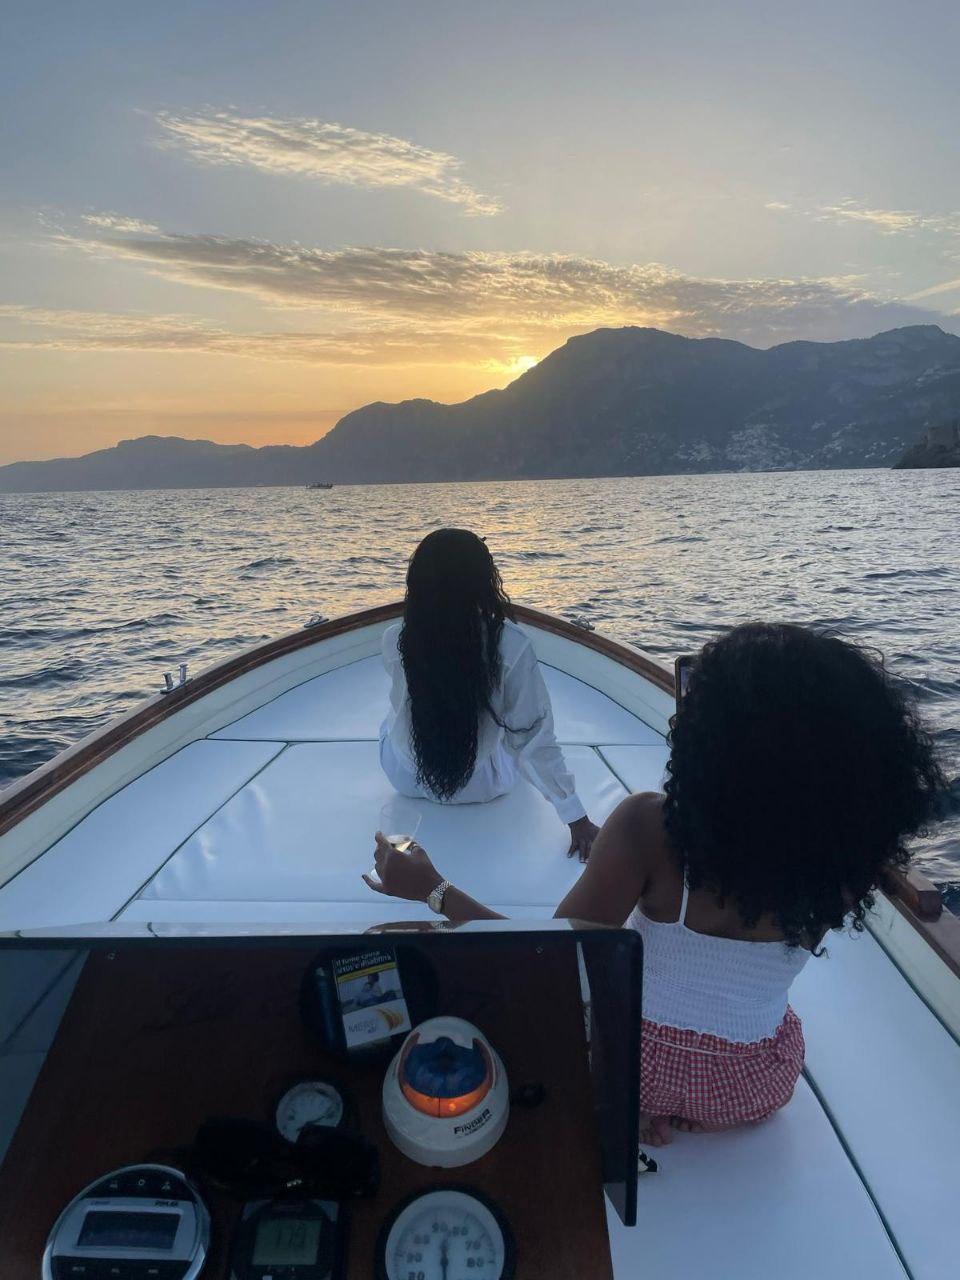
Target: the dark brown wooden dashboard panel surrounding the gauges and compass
(158, 1040)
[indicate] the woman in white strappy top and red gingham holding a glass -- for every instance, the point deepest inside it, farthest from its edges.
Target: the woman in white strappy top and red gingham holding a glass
(798, 769)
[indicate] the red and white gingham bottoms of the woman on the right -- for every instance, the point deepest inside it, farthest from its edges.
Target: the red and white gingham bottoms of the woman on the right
(717, 1082)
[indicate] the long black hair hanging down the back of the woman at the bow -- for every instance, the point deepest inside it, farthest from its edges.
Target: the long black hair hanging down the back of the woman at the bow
(454, 616)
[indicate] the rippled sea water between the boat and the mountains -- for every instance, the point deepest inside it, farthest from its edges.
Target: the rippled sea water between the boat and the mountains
(104, 592)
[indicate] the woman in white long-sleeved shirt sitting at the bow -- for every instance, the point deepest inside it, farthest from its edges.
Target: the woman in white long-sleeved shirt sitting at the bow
(469, 707)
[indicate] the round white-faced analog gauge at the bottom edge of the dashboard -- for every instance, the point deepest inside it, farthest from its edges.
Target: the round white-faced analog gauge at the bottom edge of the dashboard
(446, 1235)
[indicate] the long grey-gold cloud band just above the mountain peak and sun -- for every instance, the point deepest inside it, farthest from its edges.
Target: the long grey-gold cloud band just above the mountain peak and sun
(502, 298)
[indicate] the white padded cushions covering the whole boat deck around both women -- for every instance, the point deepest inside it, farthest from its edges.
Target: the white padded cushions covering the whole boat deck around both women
(271, 819)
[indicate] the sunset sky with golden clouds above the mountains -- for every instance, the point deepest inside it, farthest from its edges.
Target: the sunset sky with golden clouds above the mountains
(239, 221)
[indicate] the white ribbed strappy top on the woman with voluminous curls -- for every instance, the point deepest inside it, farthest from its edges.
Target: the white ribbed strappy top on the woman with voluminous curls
(724, 988)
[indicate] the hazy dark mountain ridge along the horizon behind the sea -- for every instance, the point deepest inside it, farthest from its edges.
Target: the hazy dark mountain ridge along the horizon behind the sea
(632, 401)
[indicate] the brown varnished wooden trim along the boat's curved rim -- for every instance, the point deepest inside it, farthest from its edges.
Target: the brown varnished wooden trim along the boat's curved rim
(913, 895)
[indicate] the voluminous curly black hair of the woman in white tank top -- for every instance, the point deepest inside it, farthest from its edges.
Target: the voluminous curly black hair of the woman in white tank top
(798, 769)
